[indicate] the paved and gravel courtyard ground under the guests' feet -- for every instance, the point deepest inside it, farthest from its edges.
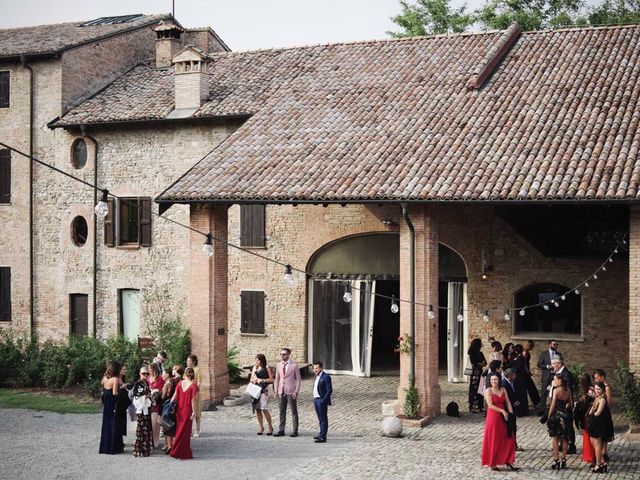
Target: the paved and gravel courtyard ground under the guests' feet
(47, 445)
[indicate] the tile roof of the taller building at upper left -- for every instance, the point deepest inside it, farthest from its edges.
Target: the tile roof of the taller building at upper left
(55, 38)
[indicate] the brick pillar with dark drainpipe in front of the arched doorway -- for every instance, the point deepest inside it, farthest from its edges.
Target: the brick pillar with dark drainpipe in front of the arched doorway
(426, 291)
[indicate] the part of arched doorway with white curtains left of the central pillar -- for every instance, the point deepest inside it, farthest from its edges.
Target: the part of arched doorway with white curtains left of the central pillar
(352, 330)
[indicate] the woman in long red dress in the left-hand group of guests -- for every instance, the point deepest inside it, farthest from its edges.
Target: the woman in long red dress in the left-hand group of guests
(184, 397)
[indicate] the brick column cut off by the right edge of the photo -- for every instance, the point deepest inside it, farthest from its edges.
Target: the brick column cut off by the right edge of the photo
(634, 289)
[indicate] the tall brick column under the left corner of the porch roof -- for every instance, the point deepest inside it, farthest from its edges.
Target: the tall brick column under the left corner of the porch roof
(208, 302)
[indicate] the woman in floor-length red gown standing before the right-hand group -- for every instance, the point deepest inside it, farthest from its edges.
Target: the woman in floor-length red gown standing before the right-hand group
(498, 448)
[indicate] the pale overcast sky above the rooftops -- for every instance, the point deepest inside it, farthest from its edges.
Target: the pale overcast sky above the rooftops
(242, 24)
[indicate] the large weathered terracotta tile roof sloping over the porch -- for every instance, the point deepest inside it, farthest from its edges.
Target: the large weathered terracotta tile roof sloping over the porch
(394, 120)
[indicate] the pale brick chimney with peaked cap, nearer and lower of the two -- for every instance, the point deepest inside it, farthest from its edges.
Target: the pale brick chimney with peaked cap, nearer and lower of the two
(191, 78)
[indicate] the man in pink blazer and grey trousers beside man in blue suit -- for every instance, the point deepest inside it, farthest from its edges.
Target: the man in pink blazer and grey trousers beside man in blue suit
(287, 387)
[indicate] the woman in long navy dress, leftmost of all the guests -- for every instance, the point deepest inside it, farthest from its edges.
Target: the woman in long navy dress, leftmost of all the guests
(111, 438)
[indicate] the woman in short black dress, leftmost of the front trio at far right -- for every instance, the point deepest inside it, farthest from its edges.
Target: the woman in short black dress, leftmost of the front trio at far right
(559, 422)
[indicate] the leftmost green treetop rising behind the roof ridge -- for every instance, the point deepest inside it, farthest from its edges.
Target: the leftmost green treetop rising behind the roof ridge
(427, 17)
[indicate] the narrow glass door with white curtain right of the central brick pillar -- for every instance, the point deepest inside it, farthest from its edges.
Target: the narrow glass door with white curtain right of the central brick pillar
(456, 331)
